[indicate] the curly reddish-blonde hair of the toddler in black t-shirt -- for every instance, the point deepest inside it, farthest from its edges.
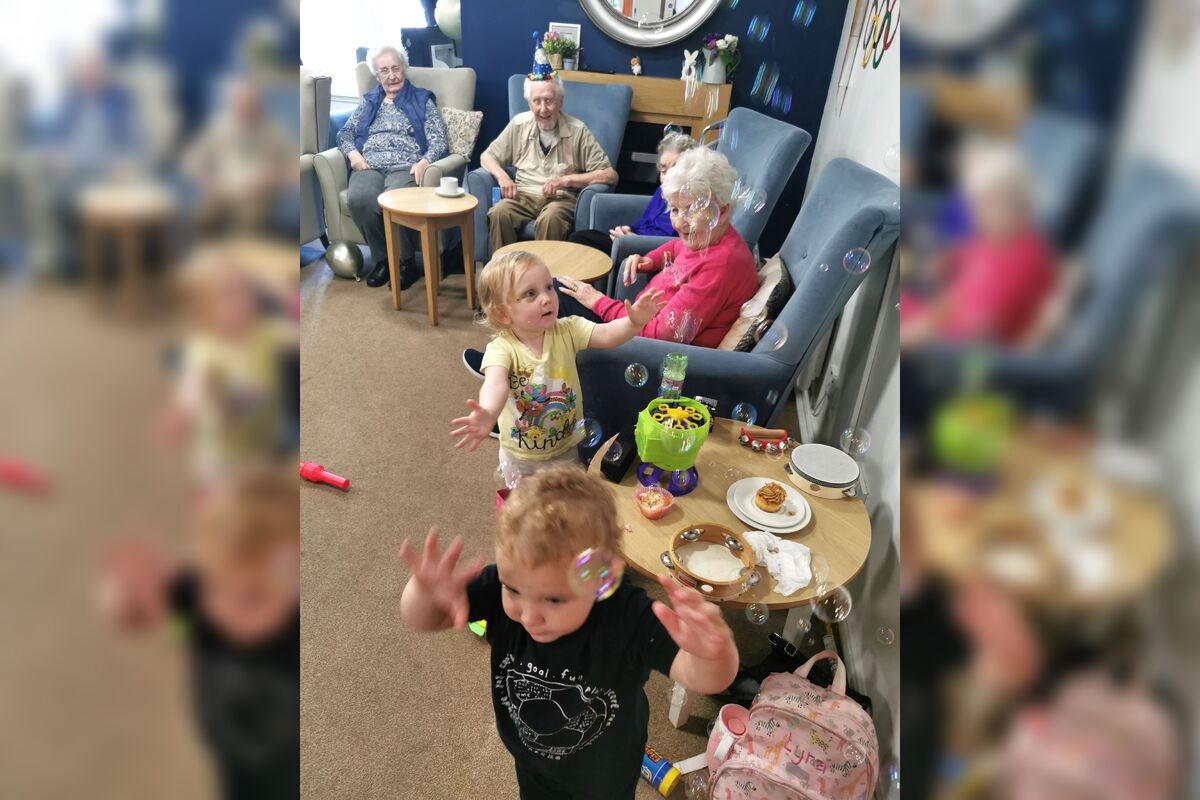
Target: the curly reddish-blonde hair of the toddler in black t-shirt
(556, 514)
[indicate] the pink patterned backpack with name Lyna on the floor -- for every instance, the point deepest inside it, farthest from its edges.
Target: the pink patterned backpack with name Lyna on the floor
(801, 741)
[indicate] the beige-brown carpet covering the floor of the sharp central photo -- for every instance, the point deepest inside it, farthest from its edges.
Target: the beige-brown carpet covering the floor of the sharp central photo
(387, 712)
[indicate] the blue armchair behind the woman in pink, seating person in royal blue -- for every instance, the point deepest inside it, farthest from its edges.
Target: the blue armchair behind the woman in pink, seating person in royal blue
(767, 154)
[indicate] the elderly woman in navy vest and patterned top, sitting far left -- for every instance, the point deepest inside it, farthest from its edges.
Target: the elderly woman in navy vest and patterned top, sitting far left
(393, 137)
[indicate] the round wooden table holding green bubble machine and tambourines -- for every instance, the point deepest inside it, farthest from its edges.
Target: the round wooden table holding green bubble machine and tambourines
(841, 530)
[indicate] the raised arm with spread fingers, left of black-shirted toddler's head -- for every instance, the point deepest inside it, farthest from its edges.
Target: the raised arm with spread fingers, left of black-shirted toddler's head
(436, 594)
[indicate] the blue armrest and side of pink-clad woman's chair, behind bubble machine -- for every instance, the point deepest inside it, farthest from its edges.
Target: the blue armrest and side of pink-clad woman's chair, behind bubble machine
(730, 378)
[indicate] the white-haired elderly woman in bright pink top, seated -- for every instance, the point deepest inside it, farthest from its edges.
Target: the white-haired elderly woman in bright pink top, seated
(706, 275)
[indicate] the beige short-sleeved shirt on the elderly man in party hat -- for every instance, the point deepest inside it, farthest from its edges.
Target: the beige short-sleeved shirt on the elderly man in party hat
(575, 153)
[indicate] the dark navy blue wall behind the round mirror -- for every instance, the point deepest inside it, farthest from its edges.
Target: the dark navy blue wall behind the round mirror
(497, 43)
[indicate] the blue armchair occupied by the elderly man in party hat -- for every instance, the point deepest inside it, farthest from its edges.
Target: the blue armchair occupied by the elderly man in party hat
(603, 109)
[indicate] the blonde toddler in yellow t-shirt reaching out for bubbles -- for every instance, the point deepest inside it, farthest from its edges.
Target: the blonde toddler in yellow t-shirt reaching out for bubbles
(531, 383)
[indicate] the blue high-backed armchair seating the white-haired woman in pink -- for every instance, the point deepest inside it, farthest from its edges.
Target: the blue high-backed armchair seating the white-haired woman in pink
(850, 207)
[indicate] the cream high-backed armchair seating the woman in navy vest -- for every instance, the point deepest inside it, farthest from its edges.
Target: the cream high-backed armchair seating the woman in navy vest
(453, 88)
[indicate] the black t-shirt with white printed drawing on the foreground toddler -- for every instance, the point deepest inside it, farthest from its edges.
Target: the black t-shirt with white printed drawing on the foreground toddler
(574, 712)
